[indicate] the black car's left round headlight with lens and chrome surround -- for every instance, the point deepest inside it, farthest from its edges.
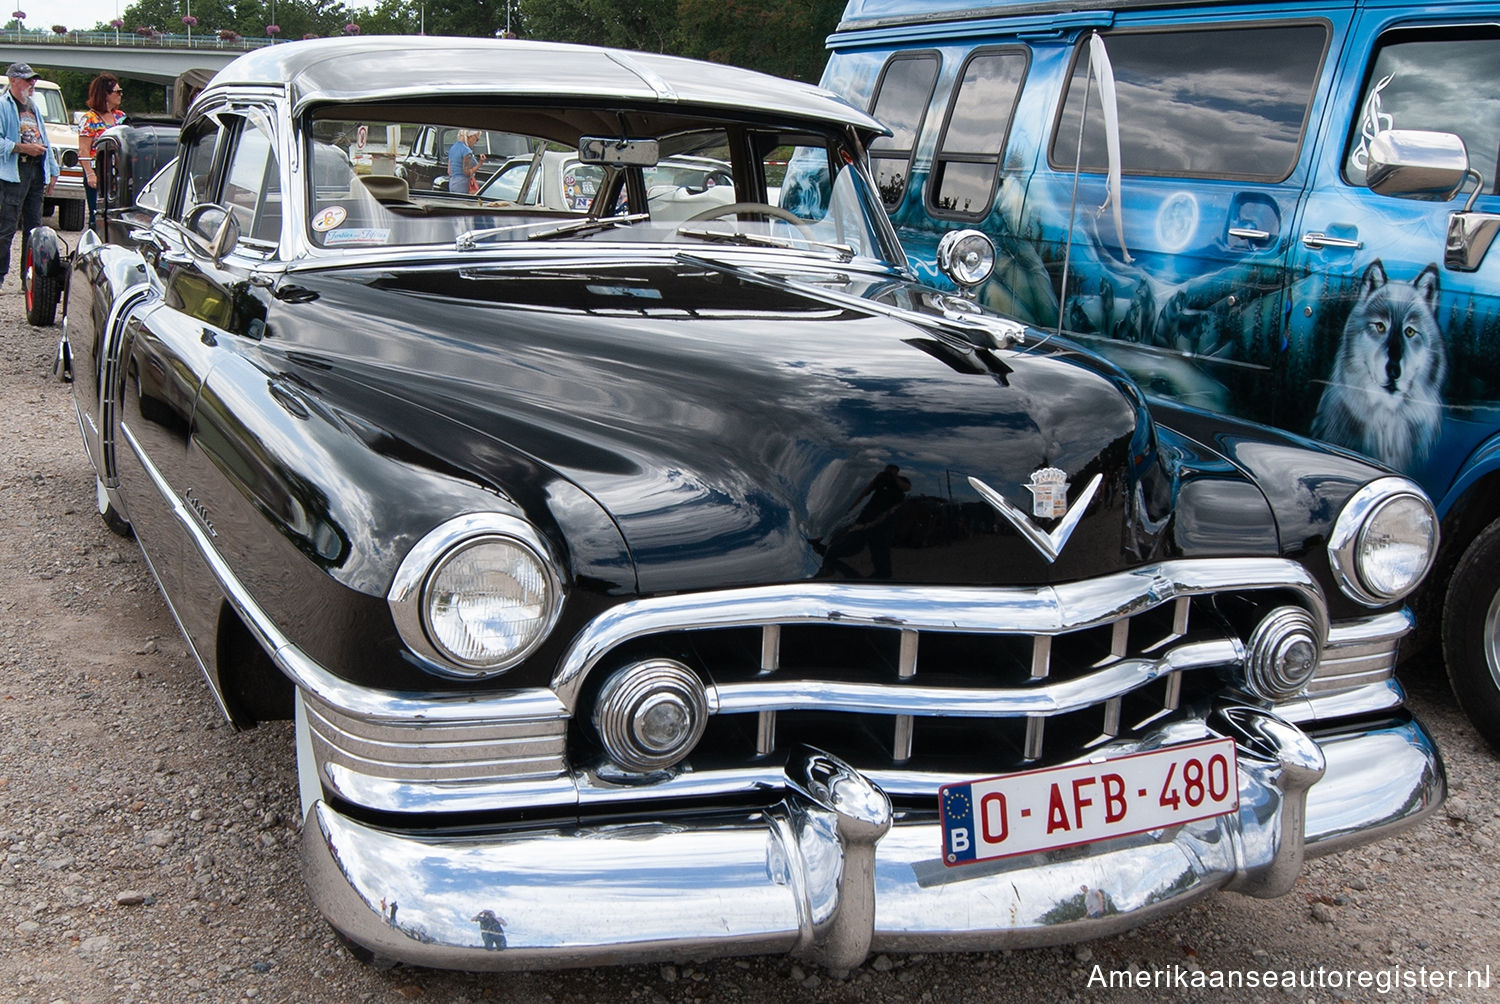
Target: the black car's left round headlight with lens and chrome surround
(476, 597)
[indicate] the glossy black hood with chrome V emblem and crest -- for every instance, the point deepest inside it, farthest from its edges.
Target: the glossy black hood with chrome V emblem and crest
(746, 430)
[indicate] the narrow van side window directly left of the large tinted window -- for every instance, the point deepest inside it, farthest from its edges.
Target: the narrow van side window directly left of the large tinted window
(974, 133)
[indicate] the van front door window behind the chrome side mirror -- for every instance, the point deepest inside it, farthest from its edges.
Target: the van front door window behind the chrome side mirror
(1439, 82)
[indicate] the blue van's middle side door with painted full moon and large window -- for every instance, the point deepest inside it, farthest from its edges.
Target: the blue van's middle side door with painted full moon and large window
(1214, 121)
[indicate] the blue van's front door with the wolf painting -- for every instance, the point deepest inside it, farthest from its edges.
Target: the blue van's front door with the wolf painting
(1391, 350)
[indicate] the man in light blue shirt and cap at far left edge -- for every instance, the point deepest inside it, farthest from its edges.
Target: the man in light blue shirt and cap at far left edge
(28, 170)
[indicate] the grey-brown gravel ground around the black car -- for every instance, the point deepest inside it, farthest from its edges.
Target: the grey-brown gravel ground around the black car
(148, 852)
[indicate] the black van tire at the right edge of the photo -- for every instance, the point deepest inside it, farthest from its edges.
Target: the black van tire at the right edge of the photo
(1472, 634)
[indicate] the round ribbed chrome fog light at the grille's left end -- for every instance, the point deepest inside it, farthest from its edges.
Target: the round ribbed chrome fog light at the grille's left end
(652, 715)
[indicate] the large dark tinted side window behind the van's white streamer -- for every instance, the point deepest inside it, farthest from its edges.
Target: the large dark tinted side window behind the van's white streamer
(1228, 103)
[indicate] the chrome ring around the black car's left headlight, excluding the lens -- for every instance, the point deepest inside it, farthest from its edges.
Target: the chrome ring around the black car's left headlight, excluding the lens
(412, 591)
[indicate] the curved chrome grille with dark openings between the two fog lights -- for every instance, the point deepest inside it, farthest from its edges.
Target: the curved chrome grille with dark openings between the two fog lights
(935, 679)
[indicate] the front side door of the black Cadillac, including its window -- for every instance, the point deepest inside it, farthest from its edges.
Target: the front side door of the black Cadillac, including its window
(224, 224)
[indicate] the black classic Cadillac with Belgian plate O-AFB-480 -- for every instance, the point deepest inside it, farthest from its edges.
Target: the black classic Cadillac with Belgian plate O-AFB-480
(659, 589)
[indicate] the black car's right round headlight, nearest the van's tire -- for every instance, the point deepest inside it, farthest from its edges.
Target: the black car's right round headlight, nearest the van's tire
(1384, 541)
